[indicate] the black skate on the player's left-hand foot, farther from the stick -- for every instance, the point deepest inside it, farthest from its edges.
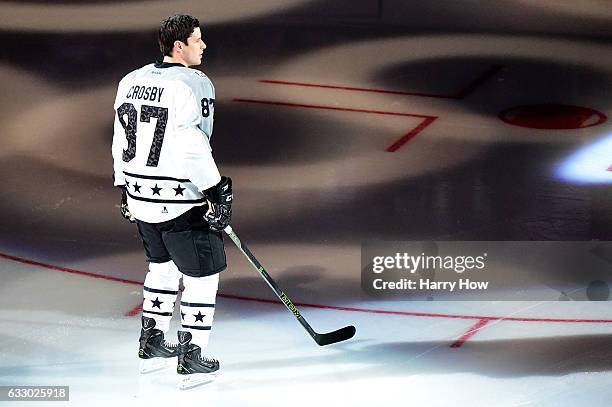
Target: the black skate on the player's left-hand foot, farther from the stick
(154, 352)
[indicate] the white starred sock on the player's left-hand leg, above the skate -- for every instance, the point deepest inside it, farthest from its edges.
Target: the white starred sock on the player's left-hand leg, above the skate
(159, 292)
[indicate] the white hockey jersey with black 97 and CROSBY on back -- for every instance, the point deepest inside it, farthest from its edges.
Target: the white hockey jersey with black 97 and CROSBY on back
(161, 142)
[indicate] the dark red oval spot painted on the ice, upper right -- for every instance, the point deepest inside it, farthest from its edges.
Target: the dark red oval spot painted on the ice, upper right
(552, 116)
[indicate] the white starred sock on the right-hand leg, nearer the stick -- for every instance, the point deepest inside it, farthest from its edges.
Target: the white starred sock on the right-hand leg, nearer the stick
(198, 307)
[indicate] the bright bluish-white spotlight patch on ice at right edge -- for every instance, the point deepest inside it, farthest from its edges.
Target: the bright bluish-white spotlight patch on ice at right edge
(589, 164)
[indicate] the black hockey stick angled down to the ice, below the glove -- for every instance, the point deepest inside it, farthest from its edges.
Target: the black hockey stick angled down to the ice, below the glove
(339, 335)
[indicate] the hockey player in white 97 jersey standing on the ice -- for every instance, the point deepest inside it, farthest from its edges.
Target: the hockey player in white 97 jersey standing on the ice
(172, 189)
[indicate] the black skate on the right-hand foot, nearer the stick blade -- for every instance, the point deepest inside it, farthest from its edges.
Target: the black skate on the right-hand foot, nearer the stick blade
(193, 368)
